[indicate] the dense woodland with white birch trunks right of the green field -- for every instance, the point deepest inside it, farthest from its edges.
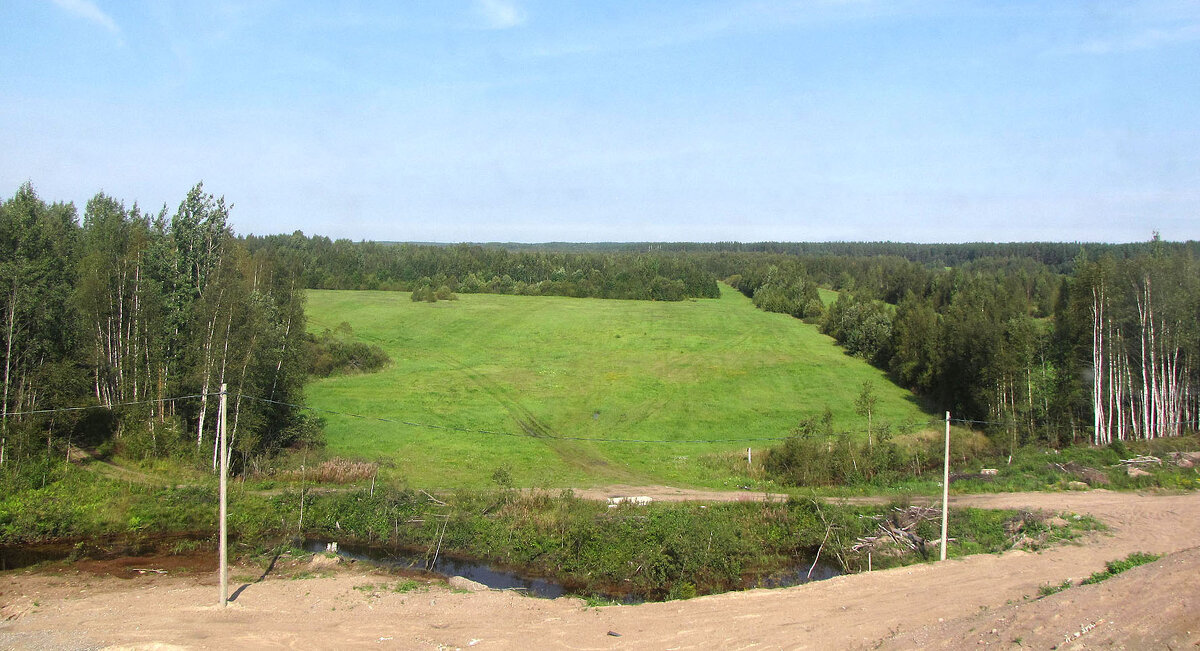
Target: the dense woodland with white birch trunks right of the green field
(1099, 349)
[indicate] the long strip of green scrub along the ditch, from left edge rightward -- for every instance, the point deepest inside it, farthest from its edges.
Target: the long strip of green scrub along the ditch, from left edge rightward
(629, 553)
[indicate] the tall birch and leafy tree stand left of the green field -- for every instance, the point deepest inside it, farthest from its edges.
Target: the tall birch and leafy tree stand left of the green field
(131, 310)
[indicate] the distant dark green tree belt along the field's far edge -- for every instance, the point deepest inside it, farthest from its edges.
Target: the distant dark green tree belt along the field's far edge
(345, 265)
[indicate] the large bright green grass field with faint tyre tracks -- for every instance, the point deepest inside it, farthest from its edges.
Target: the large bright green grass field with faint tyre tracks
(581, 368)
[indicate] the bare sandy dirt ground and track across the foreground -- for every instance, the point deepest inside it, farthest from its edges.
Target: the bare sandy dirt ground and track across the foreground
(987, 600)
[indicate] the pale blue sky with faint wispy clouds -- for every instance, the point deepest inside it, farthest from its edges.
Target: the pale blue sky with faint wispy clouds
(514, 121)
